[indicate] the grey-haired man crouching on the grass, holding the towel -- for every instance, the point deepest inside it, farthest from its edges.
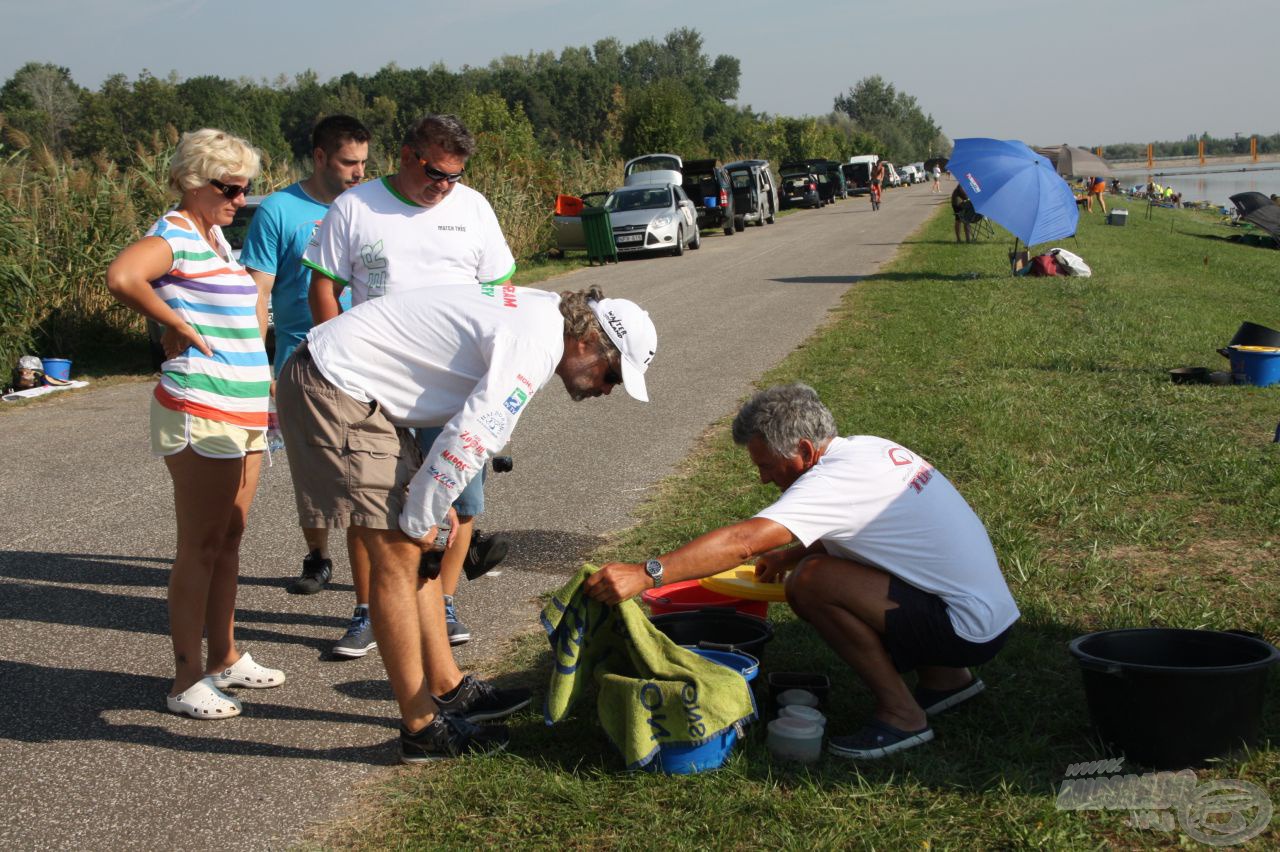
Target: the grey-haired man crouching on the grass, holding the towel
(879, 552)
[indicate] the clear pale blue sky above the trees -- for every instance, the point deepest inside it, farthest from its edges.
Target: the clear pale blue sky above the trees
(1084, 72)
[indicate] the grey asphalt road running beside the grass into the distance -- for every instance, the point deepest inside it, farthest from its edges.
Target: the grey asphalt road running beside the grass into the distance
(92, 758)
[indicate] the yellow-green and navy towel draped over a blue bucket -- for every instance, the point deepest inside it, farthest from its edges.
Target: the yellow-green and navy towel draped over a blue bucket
(652, 693)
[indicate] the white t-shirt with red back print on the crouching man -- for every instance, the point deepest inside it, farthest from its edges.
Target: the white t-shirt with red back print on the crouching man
(879, 503)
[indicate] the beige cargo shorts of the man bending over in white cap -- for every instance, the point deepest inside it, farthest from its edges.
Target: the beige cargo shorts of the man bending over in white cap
(351, 466)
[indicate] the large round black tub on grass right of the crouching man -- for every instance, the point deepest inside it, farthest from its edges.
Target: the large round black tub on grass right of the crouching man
(1172, 699)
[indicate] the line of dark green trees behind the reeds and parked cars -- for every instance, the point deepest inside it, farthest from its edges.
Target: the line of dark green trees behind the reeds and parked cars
(606, 100)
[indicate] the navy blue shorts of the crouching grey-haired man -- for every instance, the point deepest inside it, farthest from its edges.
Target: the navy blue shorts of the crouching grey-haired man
(920, 633)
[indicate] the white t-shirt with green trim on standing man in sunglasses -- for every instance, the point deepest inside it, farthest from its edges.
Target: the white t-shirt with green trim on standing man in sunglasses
(377, 242)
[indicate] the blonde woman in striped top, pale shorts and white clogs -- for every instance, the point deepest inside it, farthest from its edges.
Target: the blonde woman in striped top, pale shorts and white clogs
(209, 411)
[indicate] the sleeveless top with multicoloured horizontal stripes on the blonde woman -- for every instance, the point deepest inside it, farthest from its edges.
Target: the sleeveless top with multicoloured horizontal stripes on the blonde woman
(220, 300)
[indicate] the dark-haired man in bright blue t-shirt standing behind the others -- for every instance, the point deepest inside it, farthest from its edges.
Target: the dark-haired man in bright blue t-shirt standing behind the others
(273, 253)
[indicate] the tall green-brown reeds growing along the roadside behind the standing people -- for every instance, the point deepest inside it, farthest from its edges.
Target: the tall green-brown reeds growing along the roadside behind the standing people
(62, 222)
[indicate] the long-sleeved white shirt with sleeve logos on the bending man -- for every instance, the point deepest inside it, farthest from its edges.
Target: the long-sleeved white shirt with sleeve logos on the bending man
(461, 356)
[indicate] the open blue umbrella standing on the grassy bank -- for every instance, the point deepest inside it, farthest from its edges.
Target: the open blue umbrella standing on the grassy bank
(1014, 186)
